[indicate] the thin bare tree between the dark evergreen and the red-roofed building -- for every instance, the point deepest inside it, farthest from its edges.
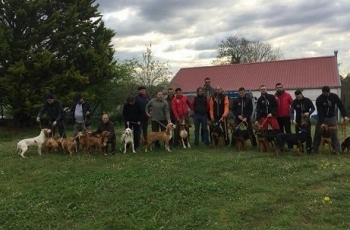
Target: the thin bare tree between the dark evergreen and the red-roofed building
(150, 73)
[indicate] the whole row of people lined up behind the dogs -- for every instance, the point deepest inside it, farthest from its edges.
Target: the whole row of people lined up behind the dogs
(210, 104)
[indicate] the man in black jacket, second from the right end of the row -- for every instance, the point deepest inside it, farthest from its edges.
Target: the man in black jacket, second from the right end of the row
(302, 106)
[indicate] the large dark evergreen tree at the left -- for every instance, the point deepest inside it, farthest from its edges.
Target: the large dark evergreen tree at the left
(51, 46)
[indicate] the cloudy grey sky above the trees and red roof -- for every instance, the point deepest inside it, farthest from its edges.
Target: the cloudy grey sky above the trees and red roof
(187, 33)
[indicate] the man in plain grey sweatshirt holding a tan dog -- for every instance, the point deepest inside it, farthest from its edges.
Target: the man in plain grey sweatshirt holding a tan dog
(158, 110)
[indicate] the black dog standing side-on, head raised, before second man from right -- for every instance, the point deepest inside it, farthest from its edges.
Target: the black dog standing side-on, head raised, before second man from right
(294, 138)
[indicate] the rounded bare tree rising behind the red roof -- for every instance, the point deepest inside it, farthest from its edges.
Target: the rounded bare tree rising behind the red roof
(236, 50)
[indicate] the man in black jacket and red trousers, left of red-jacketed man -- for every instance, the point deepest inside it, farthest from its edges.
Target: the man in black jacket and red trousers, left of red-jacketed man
(266, 108)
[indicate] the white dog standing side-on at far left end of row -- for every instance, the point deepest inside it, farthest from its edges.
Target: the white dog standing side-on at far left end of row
(23, 145)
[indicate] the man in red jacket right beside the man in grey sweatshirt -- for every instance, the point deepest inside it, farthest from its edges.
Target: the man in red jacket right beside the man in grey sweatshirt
(181, 107)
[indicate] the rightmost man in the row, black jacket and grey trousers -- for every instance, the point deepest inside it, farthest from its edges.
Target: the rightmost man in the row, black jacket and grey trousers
(325, 104)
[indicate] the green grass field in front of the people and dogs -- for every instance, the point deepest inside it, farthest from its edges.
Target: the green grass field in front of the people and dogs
(197, 188)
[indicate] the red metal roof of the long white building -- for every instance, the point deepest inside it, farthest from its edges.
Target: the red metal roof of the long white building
(302, 73)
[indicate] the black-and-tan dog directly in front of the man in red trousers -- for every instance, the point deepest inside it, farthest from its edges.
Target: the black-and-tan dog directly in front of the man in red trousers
(266, 138)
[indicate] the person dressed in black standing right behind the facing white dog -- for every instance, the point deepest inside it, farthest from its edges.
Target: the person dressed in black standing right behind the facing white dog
(132, 118)
